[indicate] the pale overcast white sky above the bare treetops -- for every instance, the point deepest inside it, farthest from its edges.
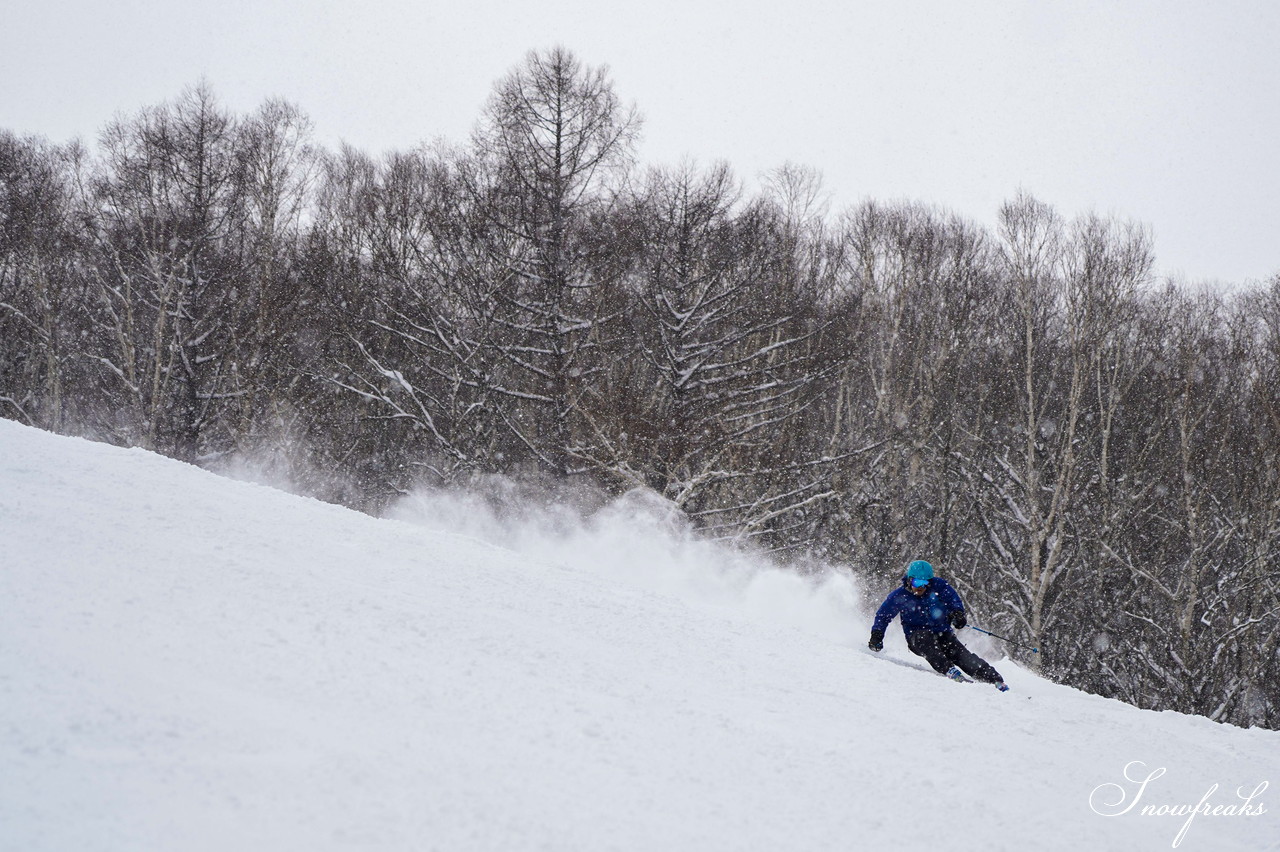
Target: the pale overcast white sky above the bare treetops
(1163, 112)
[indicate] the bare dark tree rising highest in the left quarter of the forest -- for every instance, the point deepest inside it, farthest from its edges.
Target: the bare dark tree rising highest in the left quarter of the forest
(166, 204)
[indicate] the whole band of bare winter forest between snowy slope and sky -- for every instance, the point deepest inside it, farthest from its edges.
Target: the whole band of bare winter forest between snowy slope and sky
(1090, 454)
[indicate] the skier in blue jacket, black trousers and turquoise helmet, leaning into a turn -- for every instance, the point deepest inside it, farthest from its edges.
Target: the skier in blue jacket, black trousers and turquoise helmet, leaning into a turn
(930, 608)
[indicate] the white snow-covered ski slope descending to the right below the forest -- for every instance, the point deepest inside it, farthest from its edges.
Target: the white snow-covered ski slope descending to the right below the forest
(196, 663)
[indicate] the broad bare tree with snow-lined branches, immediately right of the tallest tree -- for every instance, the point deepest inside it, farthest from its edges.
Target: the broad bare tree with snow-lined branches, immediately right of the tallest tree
(726, 335)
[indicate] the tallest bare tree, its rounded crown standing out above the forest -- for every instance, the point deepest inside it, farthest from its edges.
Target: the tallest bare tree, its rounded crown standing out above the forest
(555, 134)
